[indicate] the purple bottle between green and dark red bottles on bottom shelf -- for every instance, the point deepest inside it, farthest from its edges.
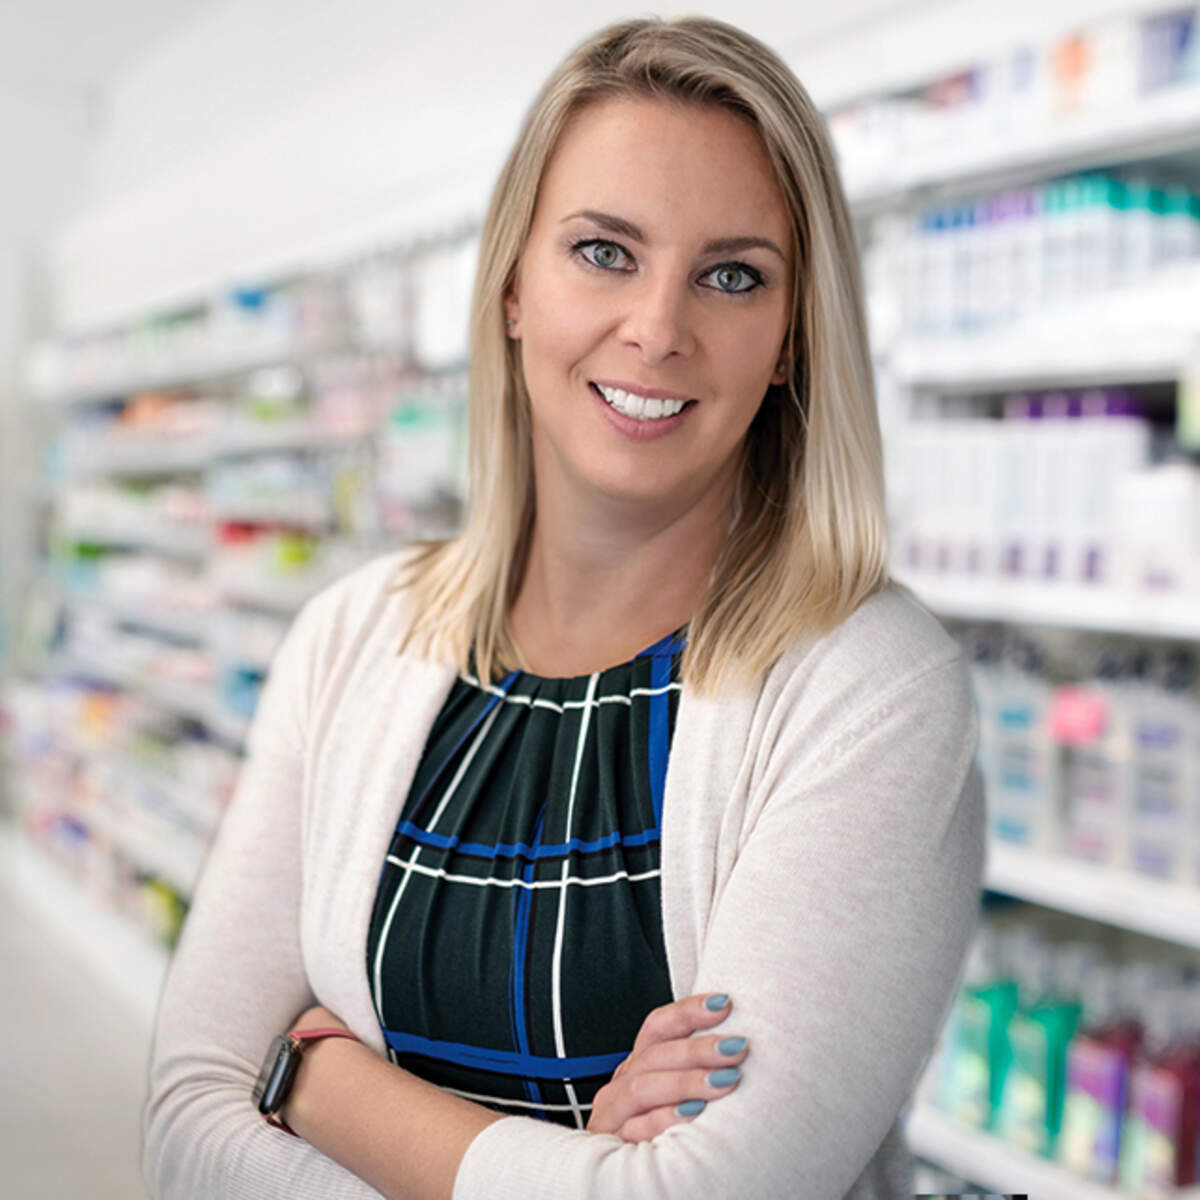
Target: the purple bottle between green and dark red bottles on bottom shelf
(1099, 1066)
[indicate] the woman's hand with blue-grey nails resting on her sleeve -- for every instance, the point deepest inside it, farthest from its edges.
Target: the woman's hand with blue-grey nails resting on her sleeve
(665, 1069)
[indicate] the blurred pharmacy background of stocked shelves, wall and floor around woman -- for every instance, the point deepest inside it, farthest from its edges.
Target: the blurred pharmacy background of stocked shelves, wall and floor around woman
(237, 248)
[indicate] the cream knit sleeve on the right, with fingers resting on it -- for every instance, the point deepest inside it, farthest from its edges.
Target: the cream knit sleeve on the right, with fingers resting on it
(841, 934)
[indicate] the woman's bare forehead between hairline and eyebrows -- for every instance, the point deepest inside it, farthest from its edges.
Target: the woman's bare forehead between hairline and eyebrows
(700, 166)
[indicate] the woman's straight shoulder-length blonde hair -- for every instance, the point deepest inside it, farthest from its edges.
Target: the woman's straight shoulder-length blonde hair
(808, 538)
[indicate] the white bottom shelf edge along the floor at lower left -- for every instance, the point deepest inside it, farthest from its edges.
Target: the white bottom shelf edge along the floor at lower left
(119, 955)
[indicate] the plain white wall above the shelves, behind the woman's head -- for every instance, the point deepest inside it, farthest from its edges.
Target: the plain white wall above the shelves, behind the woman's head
(266, 135)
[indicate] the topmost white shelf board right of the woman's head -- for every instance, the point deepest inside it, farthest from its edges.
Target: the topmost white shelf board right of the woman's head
(1163, 124)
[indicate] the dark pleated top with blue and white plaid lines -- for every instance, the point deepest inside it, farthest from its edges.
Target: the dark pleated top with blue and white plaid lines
(517, 940)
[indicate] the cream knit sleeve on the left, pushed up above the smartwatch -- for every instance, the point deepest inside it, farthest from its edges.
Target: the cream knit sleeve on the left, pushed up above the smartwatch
(238, 977)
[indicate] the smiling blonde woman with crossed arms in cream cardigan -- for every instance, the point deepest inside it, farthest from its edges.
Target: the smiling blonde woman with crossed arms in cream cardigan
(647, 867)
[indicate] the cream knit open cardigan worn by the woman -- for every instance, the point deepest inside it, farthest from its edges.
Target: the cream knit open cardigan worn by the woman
(823, 856)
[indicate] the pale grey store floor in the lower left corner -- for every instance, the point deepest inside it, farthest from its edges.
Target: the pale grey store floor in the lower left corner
(73, 1060)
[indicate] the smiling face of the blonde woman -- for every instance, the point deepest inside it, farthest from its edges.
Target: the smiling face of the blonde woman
(659, 263)
